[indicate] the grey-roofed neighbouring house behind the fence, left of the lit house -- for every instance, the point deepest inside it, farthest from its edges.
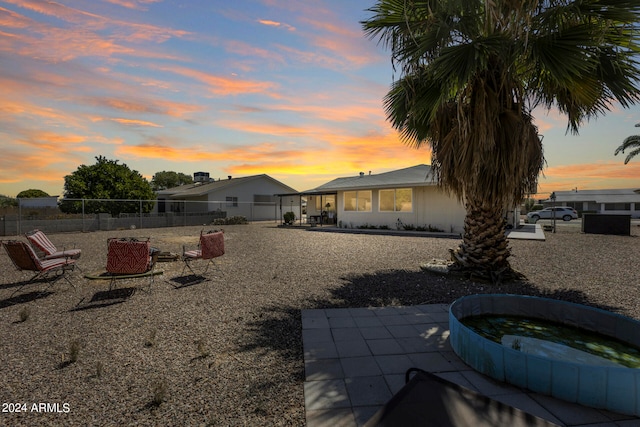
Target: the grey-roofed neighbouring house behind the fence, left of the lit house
(251, 197)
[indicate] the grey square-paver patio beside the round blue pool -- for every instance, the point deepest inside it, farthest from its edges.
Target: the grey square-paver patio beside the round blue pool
(356, 358)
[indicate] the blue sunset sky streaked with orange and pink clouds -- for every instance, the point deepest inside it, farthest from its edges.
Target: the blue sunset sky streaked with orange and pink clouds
(292, 89)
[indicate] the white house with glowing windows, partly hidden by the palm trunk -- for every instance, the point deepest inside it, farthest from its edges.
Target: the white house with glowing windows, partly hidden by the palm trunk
(404, 197)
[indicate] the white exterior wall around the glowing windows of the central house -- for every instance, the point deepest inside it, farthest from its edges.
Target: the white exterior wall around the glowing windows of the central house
(430, 207)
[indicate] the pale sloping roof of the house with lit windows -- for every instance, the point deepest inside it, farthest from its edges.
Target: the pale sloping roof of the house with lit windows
(414, 176)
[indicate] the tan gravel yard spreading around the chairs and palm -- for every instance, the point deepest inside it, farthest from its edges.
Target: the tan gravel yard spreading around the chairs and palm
(229, 351)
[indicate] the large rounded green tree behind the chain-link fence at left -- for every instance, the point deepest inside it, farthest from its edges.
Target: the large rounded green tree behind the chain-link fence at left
(106, 180)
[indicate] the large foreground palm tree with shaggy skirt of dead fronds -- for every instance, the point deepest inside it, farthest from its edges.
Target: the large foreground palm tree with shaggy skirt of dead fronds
(472, 72)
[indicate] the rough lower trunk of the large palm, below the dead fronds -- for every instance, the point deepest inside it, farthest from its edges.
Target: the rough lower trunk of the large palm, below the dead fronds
(484, 252)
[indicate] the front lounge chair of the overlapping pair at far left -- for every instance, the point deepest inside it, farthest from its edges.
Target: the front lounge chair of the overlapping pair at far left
(24, 258)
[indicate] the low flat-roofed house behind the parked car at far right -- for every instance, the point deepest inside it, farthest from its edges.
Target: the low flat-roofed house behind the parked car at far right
(609, 201)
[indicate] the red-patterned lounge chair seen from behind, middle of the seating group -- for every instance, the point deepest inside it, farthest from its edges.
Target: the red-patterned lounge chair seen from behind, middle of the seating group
(129, 257)
